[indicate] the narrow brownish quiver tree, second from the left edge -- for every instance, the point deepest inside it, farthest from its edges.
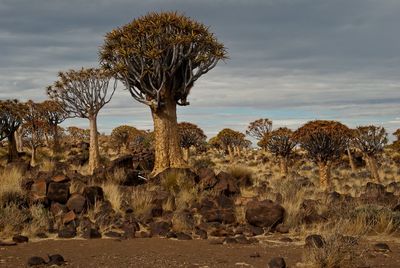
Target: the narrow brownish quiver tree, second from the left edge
(34, 128)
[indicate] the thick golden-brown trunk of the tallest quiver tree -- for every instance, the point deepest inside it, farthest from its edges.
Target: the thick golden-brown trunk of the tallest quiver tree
(168, 153)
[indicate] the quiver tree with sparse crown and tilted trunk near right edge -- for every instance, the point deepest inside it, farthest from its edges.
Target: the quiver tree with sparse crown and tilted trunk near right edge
(370, 140)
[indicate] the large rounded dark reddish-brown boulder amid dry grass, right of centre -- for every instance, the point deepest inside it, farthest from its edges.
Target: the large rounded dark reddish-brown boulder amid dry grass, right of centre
(264, 213)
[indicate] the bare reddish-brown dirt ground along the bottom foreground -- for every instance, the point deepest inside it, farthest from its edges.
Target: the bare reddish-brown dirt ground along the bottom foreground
(158, 252)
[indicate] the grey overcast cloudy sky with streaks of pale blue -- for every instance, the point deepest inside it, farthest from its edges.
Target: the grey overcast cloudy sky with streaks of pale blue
(290, 60)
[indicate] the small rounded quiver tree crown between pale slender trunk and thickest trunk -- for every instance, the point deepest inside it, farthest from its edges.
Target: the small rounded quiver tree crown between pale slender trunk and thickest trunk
(124, 135)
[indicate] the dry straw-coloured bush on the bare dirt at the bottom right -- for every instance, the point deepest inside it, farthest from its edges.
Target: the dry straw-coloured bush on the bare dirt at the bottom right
(336, 252)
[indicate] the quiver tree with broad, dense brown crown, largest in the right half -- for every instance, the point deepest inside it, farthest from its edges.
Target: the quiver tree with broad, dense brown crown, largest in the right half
(325, 142)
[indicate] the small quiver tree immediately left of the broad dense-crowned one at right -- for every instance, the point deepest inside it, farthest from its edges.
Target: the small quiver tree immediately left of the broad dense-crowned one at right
(280, 143)
